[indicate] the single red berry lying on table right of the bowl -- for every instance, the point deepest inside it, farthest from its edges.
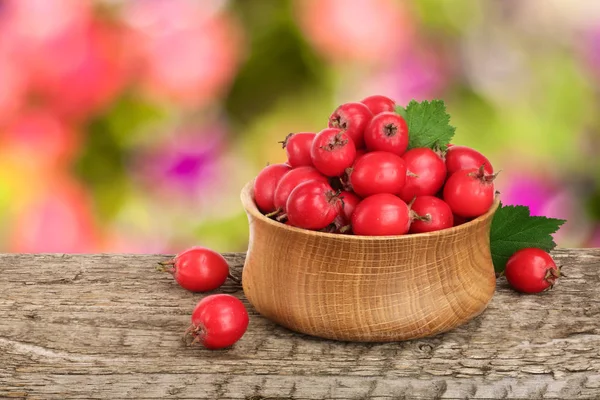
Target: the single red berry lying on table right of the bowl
(531, 270)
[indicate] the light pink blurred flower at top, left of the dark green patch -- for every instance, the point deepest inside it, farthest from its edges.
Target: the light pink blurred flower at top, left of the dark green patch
(190, 50)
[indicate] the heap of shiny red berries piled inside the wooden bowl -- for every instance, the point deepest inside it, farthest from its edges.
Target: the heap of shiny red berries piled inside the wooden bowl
(359, 176)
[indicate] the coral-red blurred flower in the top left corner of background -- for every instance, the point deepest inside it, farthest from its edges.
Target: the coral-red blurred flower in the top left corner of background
(74, 63)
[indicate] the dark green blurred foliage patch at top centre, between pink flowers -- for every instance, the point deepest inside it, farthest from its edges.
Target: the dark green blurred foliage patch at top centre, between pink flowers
(280, 64)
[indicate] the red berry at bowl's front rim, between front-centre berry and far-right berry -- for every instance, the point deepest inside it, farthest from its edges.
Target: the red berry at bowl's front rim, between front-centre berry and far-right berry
(430, 214)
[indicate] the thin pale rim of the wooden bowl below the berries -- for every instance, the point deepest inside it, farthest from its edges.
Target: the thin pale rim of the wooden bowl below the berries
(250, 207)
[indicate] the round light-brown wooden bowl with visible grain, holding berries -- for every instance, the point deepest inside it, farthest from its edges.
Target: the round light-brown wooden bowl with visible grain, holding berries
(367, 288)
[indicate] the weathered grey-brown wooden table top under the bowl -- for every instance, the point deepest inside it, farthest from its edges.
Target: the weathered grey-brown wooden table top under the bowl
(109, 326)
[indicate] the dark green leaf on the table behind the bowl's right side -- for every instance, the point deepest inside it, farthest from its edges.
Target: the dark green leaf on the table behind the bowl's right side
(513, 229)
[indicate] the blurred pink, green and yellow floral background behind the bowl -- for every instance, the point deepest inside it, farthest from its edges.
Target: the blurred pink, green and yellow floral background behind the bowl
(131, 126)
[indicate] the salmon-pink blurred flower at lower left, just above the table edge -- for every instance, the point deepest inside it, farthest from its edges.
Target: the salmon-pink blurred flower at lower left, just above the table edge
(58, 220)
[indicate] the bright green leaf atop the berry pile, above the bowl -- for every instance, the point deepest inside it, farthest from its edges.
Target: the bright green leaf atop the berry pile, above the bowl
(428, 124)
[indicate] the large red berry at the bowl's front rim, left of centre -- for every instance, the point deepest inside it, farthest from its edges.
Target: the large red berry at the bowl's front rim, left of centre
(313, 205)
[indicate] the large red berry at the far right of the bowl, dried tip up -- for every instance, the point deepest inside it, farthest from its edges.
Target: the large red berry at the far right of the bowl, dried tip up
(470, 192)
